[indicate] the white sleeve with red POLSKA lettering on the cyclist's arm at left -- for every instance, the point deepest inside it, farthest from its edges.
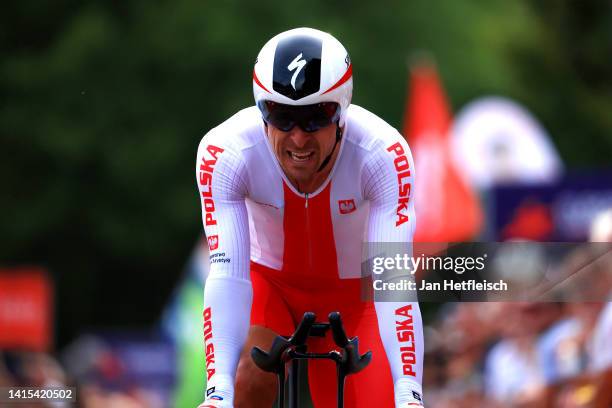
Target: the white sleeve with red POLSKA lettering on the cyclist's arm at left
(228, 294)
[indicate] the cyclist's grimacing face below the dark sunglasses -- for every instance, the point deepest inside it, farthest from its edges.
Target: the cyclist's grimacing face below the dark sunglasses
(301, 153)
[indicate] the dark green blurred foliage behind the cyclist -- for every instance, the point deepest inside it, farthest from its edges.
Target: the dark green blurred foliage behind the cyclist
(104, 104)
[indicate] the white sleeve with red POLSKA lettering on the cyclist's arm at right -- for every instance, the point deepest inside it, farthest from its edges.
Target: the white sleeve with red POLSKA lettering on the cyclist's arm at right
(388, 183)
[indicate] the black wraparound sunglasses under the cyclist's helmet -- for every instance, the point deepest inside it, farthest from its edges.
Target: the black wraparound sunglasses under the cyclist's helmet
(309, 118)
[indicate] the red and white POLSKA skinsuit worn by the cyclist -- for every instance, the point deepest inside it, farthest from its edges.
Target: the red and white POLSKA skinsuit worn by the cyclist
(276, 253)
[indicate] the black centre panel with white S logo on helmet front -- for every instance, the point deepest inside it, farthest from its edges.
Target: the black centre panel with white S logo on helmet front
(297, 66)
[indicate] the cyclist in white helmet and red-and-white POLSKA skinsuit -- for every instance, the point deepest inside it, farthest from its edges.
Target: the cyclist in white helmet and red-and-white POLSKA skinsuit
(291, 189)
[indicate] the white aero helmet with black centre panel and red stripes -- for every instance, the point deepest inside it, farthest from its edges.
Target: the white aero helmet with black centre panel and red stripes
(304, 66)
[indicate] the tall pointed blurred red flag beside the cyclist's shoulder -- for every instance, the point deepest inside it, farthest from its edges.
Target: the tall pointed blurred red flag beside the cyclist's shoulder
(447, 209)
